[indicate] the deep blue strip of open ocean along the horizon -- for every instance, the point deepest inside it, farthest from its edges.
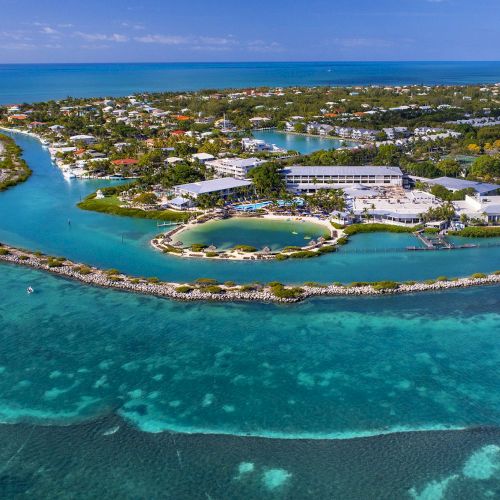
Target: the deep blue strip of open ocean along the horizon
(39, 82)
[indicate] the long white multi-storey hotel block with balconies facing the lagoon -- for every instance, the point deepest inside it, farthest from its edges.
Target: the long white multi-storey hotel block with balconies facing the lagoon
(300, 179)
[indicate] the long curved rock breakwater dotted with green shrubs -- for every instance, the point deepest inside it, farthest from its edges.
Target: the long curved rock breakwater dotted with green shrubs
(207, 290)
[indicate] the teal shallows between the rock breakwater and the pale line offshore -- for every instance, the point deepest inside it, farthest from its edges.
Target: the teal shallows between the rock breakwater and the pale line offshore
(326, 368)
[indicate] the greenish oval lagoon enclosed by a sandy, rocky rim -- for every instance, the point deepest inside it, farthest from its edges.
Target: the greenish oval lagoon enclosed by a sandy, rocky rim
(258, 233)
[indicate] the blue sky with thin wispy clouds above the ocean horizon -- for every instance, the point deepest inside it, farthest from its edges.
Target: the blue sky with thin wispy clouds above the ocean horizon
(272, 30)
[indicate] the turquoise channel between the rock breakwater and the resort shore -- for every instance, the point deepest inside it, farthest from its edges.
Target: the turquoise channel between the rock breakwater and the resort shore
(36, 215)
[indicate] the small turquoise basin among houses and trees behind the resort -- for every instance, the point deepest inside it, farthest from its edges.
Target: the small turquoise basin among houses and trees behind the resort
(304, 144)
